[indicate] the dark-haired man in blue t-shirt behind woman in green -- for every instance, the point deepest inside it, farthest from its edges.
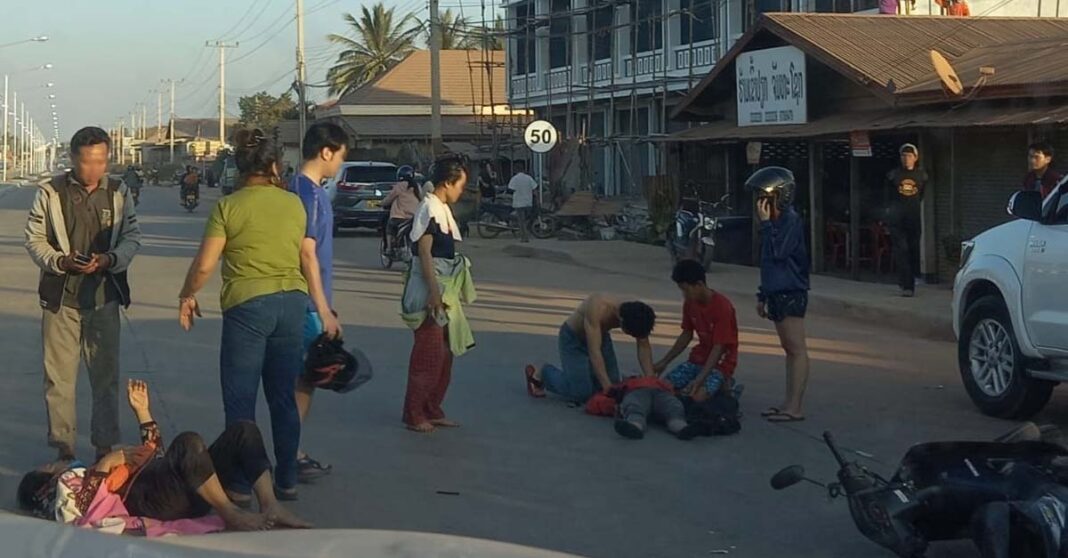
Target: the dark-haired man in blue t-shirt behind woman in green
(325, 149)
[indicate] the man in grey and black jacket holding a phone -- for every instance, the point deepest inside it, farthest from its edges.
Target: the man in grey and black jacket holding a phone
(83, 234)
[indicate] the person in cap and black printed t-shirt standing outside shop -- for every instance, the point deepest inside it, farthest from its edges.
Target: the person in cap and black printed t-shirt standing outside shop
(908, 183)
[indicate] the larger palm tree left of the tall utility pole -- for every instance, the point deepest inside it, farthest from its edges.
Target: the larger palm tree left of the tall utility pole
(374, 44)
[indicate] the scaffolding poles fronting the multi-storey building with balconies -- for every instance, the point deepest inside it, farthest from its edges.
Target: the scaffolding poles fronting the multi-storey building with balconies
(618, 141)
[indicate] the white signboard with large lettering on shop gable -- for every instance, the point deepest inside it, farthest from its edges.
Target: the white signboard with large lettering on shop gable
(772, 87)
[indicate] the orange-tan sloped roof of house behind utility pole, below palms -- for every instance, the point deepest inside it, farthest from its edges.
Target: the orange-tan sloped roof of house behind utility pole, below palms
(464, 81)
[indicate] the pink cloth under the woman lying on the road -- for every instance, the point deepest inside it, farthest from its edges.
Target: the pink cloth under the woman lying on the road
(107, 513)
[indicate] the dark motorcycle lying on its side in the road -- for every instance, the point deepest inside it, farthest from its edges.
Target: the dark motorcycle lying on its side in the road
(1009, 495)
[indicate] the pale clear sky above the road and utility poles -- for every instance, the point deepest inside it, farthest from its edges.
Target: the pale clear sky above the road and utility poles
(111, 55)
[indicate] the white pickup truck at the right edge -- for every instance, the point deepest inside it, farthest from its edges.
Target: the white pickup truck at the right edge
(1011, 307)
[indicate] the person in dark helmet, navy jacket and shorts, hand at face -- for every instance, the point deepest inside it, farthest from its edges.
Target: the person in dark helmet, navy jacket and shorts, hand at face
(783, 297)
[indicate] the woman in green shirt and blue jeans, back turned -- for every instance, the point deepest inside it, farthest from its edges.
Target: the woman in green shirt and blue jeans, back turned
(258, 232)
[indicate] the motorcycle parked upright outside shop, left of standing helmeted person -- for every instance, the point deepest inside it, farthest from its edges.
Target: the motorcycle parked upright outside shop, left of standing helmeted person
(693, 236)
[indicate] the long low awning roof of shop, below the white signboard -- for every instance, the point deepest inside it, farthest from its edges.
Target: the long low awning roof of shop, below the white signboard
(840, 125)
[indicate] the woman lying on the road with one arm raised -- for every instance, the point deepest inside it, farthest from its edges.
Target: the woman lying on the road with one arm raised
(186, 483)
